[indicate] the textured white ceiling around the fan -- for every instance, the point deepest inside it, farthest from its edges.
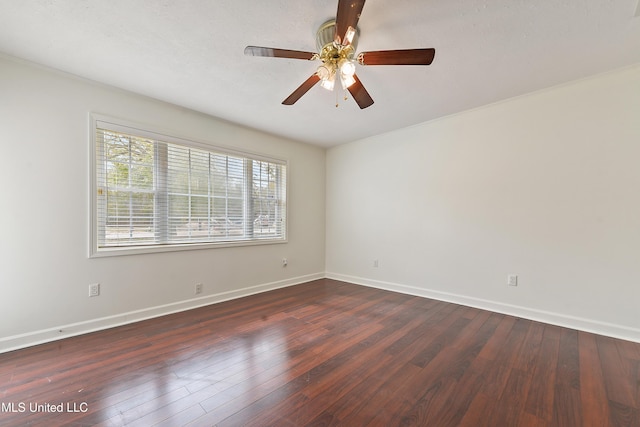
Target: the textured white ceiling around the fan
(190, 53)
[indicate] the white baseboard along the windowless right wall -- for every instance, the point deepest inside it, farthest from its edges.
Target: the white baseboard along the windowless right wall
(581, 324)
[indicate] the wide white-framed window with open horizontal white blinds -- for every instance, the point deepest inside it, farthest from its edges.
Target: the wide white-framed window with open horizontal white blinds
(156, 192)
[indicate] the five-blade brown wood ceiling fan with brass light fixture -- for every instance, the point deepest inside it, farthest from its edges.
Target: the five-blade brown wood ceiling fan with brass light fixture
(336, 42)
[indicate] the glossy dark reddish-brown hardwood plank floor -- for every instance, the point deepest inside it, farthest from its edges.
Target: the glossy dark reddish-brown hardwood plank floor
(326, 353)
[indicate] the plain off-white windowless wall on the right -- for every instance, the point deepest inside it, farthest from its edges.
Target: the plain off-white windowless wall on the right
(546, 186)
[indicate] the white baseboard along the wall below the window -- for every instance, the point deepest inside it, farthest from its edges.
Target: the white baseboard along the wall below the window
(29, 339)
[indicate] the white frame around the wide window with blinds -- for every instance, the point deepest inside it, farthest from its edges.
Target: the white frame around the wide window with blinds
(98, 121)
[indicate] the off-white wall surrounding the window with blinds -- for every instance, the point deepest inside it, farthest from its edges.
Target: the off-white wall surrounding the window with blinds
(44, 266)
